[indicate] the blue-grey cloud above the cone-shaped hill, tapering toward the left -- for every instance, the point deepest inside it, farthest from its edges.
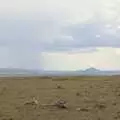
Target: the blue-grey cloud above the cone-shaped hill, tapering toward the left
(84, 36)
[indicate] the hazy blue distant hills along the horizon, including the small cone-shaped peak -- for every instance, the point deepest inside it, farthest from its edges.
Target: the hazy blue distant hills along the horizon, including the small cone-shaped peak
(26, 72)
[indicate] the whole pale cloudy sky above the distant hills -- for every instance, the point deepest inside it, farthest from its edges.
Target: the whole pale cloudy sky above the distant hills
(60, 34)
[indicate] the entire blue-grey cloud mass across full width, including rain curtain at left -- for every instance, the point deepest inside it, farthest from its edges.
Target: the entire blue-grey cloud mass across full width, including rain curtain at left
(26, 39)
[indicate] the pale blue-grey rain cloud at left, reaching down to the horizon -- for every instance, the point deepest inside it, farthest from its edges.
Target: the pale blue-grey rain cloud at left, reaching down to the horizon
(24, 41)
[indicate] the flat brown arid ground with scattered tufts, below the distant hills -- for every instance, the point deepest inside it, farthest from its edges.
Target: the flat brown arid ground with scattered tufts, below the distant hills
(87, 98)
